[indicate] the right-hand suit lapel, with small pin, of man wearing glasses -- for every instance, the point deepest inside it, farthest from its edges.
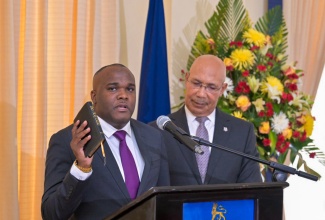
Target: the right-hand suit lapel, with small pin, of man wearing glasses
(222, 131)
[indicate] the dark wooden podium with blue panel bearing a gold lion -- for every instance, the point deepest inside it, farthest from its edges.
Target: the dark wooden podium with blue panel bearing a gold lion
(167, 203)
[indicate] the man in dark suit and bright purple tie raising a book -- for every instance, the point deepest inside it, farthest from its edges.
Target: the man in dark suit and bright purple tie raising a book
(78, 187)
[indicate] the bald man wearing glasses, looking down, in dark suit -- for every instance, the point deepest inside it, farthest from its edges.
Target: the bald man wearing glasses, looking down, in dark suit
(205, 83)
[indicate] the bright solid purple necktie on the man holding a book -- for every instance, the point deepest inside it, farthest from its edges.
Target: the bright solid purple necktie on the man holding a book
(130, 169)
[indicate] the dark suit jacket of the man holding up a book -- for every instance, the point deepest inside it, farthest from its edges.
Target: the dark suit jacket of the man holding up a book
(104, 191)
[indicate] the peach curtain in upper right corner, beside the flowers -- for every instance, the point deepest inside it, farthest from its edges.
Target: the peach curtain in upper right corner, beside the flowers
(306, 41)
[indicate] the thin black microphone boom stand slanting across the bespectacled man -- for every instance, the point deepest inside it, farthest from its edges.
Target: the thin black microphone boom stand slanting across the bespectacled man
(276, 166)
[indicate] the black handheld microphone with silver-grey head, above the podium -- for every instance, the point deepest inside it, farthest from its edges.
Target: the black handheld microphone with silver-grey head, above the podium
(164, 123)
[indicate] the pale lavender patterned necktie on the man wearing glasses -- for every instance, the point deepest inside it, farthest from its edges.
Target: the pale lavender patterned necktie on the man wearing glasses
(202, 160)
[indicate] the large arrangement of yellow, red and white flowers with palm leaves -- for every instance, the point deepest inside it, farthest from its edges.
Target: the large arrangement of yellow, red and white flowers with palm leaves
(262, 87)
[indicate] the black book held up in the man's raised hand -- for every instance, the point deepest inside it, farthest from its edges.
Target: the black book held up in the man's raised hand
(88, 113)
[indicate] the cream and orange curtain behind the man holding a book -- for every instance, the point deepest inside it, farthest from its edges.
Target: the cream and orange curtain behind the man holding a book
(49, 52)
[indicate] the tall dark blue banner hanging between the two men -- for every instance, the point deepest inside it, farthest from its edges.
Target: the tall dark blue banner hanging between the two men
(154, 87)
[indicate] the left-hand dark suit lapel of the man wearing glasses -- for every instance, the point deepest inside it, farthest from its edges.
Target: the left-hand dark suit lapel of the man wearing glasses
(179, 119)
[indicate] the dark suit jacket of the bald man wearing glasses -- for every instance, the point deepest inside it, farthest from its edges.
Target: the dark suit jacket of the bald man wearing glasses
(223, 167)
